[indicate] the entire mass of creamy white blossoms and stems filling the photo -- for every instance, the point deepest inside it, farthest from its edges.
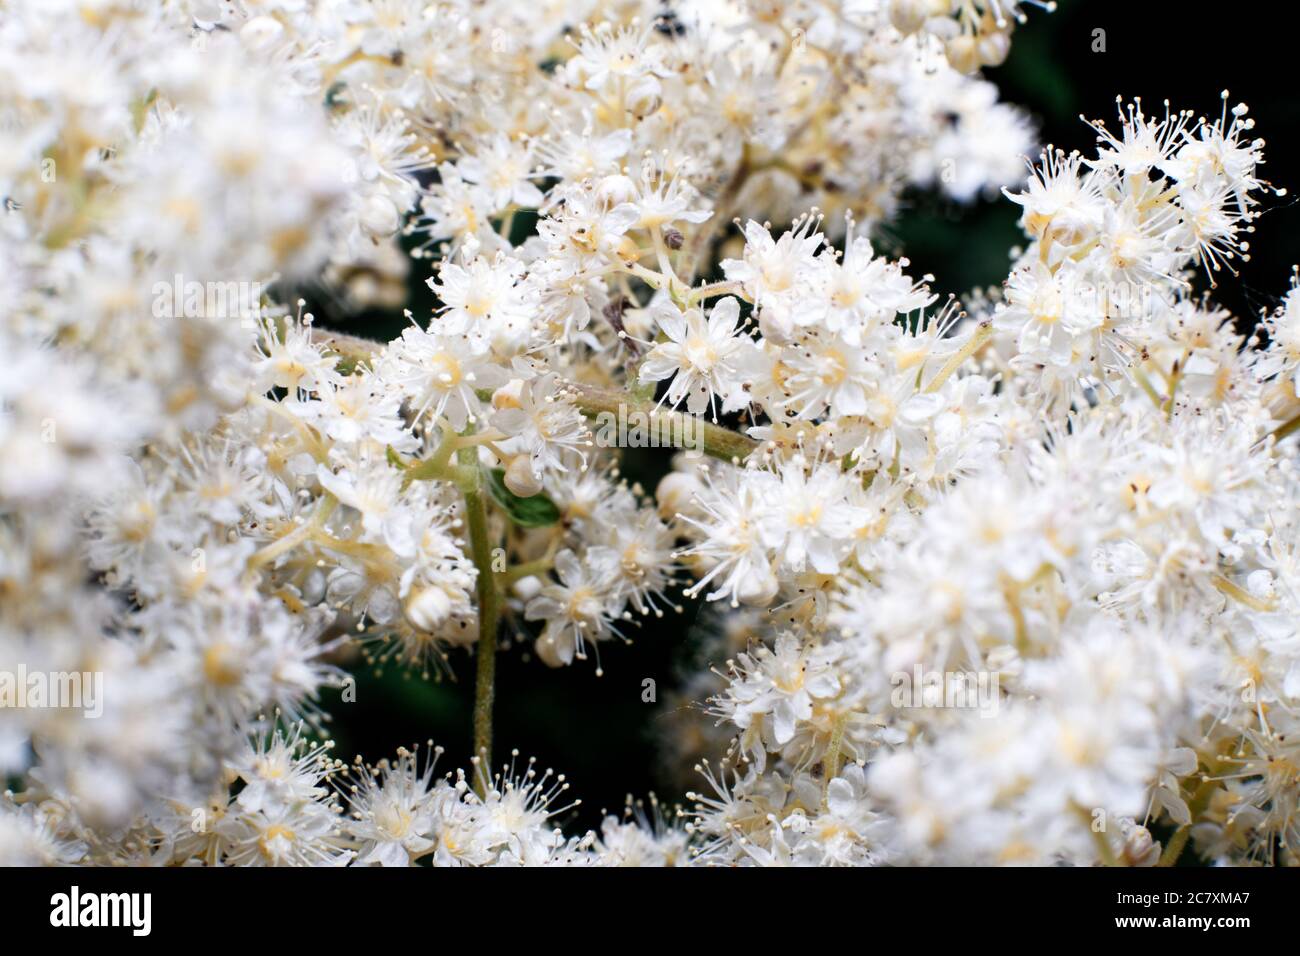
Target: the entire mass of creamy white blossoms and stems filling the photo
(1074, 499)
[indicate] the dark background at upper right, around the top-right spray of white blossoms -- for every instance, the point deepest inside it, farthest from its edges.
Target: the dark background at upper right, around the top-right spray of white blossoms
(1158, 50)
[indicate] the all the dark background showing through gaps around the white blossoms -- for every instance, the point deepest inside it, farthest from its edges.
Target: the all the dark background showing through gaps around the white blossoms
(597, 730)
